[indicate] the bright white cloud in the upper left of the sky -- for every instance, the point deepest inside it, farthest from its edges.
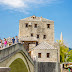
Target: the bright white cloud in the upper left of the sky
(23, 4)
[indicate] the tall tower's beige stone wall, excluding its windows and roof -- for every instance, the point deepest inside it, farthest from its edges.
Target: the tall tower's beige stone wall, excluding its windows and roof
(40, 30)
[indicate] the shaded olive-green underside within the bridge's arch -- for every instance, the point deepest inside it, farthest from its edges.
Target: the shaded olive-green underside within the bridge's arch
(18, 66)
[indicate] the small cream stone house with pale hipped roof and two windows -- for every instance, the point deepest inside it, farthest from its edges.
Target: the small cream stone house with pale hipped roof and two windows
(45, 48)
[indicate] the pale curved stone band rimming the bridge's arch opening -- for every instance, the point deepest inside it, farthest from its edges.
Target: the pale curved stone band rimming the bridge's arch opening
(16, 57)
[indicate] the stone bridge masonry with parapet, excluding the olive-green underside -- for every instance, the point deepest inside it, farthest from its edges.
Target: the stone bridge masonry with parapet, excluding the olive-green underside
(10, 54)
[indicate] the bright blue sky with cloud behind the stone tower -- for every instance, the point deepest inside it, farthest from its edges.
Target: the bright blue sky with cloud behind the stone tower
(60, 11)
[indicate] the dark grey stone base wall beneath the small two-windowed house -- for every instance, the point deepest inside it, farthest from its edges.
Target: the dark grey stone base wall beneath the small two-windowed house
(48, 67)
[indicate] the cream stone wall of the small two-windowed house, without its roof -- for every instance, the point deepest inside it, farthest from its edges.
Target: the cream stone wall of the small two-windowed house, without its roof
(53, 55)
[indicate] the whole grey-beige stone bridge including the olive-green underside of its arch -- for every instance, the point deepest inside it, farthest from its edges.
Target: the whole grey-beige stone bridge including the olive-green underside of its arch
(17, 58)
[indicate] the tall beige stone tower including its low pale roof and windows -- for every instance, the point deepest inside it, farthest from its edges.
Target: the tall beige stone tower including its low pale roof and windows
(38, 27)
